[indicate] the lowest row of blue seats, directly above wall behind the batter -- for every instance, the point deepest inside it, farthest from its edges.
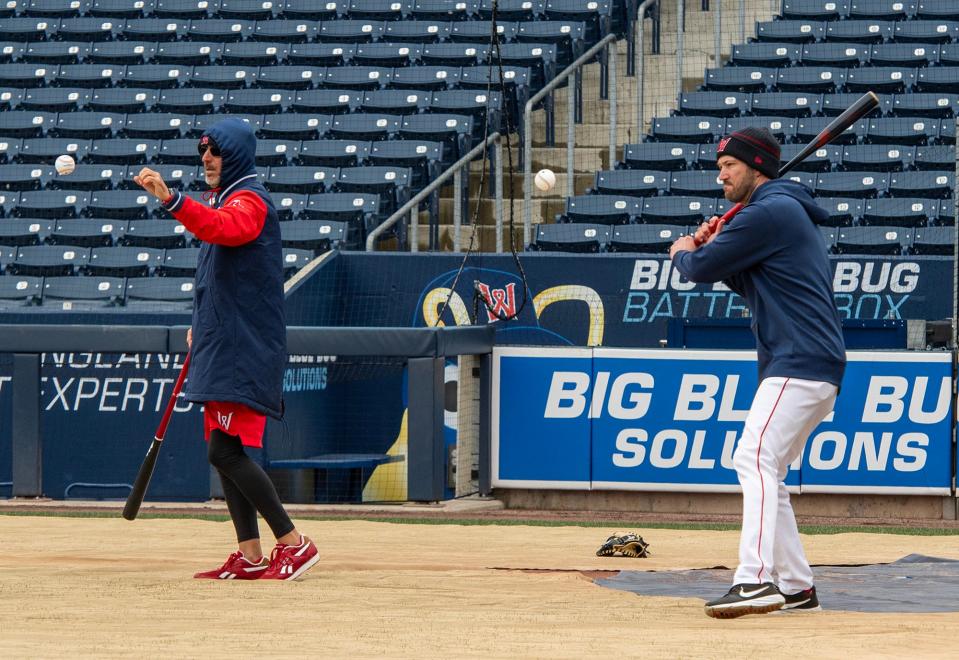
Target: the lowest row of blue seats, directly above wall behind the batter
(658, 238)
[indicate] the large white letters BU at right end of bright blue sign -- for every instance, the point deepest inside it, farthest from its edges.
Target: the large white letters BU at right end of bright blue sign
(885, 400)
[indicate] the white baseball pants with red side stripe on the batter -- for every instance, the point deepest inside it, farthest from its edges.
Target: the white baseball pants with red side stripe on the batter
(783, 414)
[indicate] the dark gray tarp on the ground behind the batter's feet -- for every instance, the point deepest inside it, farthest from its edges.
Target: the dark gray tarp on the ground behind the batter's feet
(912, 584)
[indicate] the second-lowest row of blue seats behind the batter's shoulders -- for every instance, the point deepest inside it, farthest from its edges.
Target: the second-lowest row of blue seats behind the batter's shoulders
(686, 209)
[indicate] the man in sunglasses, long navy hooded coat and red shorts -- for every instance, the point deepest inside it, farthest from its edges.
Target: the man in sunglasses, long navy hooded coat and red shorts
(238, 342)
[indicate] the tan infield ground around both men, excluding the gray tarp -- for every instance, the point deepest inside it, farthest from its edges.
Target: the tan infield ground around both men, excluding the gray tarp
(103, 587)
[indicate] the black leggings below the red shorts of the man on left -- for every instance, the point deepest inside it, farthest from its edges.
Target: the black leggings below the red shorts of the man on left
(247, 489)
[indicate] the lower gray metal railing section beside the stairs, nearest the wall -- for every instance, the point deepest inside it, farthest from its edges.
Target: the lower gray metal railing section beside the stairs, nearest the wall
(455, 171)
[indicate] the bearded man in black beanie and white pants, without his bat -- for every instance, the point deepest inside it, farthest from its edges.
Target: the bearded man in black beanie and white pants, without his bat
(772, 254)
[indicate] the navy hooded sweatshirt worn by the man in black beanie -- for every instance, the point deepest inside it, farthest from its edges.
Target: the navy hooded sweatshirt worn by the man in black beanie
(772, 254)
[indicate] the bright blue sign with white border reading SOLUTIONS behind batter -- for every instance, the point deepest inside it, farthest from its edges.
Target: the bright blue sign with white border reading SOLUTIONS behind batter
(615, 419)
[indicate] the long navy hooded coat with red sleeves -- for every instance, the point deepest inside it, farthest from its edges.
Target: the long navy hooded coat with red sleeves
(239, 329)
